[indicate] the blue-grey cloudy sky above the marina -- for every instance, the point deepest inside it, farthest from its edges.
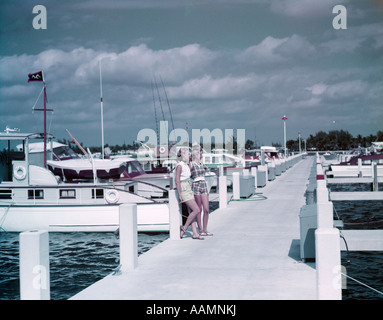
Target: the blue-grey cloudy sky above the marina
(225, 64)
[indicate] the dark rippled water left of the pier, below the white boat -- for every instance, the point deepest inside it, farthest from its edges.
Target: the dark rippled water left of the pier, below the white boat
(77, 260)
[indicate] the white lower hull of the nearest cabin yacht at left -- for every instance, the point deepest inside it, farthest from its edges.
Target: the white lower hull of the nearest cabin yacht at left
(71, 218)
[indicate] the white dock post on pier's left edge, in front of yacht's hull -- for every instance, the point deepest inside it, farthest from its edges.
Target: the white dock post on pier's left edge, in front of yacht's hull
(128, 237)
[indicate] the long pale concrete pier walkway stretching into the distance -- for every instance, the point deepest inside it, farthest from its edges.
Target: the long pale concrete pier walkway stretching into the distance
(254, 254)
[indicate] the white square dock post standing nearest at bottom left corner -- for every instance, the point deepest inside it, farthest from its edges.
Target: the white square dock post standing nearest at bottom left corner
(34, 265)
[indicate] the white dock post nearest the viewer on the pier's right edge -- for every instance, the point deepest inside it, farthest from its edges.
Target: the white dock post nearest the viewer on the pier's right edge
(328, 264)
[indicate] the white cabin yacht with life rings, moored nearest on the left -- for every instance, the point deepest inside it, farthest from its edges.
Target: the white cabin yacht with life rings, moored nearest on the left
(32, 197)
